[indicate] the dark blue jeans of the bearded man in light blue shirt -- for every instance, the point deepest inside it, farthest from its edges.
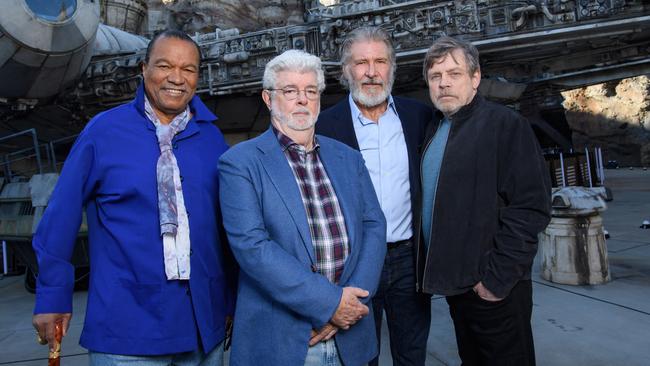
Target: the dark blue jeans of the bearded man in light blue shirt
(408, 313)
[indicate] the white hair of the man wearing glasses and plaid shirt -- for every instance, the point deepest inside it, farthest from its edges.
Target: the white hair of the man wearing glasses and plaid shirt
(293, 60)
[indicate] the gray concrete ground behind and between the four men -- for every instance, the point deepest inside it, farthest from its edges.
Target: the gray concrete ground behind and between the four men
(573, 325)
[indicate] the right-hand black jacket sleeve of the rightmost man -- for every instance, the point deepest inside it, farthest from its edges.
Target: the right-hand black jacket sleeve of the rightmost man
(524, 191)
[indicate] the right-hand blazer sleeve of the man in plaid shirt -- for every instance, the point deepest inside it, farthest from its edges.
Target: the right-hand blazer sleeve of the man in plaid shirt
(372, 251)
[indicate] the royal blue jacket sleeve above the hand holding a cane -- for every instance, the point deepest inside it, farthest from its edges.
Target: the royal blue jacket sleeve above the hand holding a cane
(55, 238)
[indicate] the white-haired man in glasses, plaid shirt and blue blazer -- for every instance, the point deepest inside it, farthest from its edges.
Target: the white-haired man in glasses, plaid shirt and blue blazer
(307, 230)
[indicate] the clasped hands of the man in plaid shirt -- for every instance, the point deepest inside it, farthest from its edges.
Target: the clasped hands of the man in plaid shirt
(349, 311)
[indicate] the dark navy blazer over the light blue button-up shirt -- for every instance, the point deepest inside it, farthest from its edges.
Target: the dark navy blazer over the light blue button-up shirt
(336, 122)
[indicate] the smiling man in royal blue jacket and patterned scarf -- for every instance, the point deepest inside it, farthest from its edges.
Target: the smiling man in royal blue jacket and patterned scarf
(146, 174)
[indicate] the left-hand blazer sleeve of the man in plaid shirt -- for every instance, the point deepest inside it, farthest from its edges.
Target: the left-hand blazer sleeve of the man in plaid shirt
(278, 274)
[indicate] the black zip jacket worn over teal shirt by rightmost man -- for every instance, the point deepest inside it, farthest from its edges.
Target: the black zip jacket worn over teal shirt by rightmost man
(492, 200)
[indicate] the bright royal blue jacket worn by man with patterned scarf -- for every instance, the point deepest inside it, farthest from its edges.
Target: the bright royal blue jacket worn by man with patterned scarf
(111, 171)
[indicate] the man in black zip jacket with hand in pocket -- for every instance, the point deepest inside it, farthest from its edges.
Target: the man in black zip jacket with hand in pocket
(485, 197)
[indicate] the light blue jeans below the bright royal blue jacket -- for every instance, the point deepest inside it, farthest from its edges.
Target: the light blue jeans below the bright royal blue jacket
(193, 358)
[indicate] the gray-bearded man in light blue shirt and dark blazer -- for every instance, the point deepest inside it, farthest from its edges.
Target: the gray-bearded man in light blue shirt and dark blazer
(388, 131)
